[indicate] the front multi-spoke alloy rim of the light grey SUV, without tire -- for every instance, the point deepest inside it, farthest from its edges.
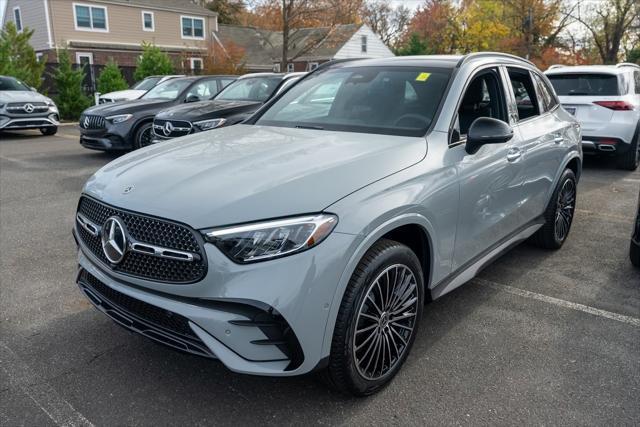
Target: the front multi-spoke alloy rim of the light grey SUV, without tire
(385, 322)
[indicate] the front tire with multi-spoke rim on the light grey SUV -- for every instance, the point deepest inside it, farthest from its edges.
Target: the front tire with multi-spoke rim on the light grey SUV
(388, 259)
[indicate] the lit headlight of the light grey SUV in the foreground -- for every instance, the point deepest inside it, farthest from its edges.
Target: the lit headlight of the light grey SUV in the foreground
(272, 239)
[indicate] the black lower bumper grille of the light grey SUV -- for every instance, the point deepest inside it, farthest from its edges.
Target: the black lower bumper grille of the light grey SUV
(157, 323)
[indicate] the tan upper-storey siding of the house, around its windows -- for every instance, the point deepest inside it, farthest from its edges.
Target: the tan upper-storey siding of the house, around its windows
(125, 27)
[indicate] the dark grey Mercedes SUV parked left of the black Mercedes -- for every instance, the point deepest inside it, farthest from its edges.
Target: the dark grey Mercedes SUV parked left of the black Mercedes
(127, 125)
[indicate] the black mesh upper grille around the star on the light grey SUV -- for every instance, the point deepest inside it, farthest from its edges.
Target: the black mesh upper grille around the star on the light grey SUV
(147, 230)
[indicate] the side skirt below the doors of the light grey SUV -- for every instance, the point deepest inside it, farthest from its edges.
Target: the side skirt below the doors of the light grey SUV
(475, 265)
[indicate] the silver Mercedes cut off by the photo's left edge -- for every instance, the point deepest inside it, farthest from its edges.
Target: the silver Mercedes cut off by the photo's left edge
(22, 107)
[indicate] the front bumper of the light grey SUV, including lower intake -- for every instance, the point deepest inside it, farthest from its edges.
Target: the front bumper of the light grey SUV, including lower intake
(266, 319)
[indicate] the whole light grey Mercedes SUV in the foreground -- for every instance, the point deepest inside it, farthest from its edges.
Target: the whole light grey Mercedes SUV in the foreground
(310, 236)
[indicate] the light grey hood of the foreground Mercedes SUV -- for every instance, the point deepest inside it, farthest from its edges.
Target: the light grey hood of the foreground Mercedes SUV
(247, 173)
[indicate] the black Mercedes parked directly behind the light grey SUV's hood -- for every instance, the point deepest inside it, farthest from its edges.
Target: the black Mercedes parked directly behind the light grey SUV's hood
(233, 105)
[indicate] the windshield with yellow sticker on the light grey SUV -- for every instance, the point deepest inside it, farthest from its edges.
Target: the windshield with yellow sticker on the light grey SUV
(385, 100)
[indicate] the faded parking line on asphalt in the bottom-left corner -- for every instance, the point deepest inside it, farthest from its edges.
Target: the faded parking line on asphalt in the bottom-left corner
(40, 392)
